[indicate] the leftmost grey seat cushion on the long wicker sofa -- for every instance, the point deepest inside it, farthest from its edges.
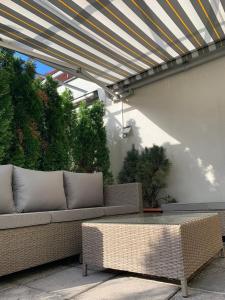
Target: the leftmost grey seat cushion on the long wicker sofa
(8, 221)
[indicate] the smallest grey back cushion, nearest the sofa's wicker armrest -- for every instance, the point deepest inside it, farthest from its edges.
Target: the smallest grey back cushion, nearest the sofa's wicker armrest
(83, 189)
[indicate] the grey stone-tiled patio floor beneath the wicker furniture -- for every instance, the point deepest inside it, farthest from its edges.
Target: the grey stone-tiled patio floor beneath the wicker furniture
(64, 280)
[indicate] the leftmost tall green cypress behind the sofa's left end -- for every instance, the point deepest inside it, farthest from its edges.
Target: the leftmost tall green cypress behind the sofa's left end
(24, 108)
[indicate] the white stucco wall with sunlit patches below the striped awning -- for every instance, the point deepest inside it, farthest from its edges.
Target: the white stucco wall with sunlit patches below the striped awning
(186, 114)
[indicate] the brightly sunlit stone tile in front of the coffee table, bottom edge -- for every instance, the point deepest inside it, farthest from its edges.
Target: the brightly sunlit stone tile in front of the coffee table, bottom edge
(130, 288)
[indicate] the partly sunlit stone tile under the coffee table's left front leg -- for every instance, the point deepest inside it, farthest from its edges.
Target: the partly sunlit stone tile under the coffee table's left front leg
(70, 282)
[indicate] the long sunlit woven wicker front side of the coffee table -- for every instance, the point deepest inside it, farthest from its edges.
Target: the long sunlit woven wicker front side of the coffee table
(140, 249)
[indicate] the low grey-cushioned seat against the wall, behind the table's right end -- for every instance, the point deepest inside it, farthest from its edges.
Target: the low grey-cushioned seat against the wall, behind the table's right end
(217, 207)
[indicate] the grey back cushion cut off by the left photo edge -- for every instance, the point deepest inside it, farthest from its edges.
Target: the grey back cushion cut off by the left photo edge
(6, 196)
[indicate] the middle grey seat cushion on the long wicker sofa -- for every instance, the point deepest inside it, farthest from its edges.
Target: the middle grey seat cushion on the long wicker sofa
(76, 214)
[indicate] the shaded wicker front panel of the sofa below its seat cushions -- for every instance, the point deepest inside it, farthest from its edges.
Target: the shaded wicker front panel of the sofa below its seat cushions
(22, 248)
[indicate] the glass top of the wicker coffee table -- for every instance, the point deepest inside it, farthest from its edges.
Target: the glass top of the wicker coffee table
(171, 219)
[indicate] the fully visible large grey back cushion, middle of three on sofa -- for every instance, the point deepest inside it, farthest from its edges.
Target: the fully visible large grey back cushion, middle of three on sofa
(38, 191)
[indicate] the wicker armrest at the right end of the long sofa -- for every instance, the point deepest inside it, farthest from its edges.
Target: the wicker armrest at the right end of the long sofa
(124, 194)
